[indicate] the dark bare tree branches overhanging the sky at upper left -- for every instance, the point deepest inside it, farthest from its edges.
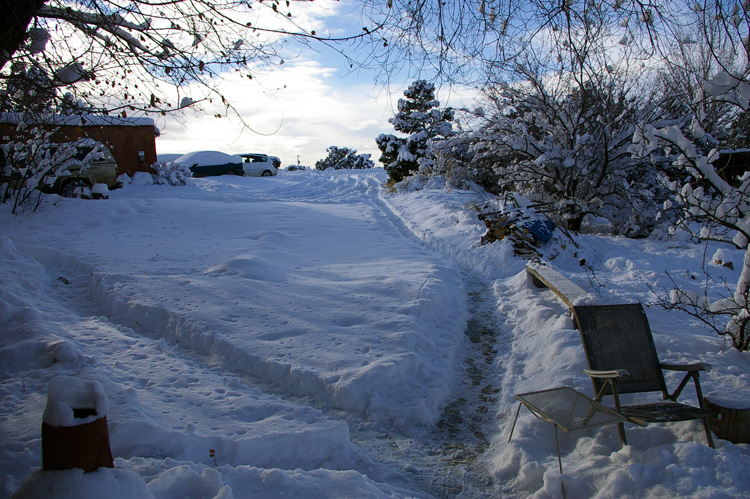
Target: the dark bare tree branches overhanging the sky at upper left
(135, 56)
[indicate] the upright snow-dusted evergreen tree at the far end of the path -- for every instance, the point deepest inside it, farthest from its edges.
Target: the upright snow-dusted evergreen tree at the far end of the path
(421, 119)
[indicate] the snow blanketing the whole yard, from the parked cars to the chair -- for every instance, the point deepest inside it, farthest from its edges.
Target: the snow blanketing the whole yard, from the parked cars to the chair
(313, 330)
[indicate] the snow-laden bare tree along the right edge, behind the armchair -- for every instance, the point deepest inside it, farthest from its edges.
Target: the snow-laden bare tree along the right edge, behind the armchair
(713, 207)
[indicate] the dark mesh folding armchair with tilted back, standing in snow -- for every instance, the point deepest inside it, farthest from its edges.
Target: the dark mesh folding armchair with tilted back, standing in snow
(622, 359)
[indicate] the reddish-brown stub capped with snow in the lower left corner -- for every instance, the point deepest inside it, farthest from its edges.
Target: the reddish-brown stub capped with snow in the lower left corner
(74, 426)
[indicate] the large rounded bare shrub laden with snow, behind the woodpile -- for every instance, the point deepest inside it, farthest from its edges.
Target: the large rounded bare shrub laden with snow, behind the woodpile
(566, 147)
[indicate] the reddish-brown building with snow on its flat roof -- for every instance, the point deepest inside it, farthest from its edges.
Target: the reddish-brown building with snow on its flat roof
(132, 141)
